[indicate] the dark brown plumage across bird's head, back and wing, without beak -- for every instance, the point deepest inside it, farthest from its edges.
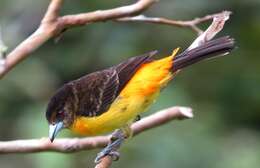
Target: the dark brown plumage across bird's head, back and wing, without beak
(92, 94)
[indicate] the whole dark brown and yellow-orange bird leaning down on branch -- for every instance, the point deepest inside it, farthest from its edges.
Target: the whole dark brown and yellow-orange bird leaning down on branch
(111, 99)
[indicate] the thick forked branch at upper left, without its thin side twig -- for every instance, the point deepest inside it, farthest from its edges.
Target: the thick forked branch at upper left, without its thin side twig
(52, 25)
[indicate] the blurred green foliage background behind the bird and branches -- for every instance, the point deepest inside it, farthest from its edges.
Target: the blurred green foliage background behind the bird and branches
(224, 93)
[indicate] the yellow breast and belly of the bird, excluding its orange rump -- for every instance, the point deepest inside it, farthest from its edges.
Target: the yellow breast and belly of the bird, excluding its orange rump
(122, 112)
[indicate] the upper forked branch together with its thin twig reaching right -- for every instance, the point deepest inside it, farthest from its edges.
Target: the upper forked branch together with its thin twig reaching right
(52, 25)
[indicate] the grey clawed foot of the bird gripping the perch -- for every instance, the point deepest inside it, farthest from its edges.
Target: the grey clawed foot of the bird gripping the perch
(117, 139)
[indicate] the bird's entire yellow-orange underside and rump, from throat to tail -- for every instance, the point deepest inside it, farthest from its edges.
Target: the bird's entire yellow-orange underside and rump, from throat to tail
(140, 92)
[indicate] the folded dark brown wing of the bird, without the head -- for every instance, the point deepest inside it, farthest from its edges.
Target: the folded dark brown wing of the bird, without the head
(95, 92)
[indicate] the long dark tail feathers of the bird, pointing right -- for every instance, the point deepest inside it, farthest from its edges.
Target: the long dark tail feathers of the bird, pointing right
(210, 49)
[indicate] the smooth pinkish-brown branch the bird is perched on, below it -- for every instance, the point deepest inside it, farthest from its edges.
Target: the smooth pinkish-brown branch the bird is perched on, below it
(68, 145)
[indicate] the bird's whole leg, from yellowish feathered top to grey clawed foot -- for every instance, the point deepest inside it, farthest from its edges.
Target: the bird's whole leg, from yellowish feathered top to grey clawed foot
(117, 138)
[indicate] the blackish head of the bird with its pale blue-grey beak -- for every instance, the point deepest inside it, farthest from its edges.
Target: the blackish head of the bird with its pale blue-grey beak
(60, 111)
